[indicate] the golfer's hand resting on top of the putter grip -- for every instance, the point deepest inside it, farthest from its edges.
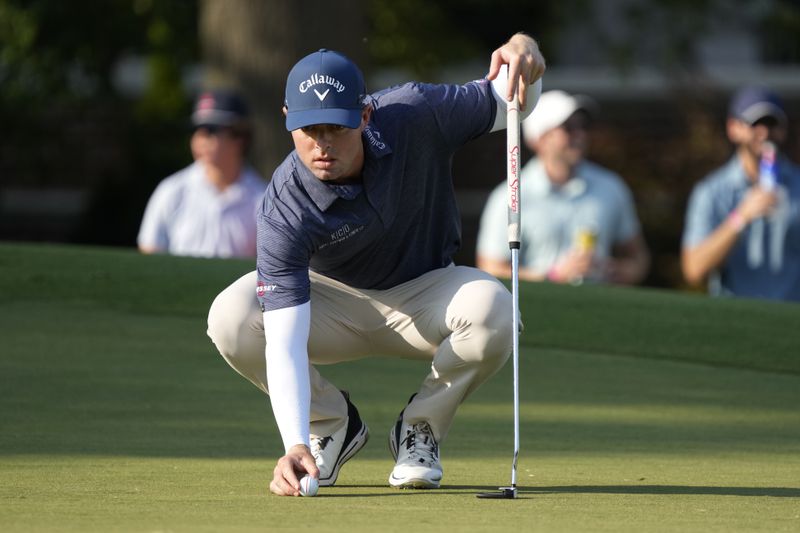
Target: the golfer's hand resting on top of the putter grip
(525, 65)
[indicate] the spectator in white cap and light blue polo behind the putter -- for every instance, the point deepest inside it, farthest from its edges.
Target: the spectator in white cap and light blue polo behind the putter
(578, 218)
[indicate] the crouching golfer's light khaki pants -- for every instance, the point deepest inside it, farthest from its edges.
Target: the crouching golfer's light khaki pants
(457, 319)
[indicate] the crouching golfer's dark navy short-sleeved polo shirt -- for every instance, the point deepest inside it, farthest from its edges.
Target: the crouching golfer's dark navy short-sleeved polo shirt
(400, 222)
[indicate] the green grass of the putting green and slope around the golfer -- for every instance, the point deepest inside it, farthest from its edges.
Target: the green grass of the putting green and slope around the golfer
(641, 411)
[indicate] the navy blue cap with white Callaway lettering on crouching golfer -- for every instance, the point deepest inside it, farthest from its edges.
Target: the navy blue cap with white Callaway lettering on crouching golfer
(324, 88)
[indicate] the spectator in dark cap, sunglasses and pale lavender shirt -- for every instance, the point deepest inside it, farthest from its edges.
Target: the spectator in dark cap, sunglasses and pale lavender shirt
(209, 208)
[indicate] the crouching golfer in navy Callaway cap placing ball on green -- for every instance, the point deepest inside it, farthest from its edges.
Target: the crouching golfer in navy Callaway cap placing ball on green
(356, 235)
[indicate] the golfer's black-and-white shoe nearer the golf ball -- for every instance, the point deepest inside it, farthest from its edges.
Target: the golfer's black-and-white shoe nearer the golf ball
(332, 451)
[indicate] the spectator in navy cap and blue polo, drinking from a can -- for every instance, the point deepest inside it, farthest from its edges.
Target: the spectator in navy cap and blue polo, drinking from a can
(742, 230)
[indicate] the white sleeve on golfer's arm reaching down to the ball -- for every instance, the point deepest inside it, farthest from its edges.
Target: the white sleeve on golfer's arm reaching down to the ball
(286, 331)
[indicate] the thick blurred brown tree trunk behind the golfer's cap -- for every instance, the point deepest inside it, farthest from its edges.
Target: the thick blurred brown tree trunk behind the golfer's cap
(269, 38)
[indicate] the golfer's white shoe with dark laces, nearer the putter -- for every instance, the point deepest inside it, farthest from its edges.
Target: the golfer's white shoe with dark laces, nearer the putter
(417, 454)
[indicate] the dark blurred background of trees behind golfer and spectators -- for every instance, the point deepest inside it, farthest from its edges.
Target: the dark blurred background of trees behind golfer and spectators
(83, 148)
